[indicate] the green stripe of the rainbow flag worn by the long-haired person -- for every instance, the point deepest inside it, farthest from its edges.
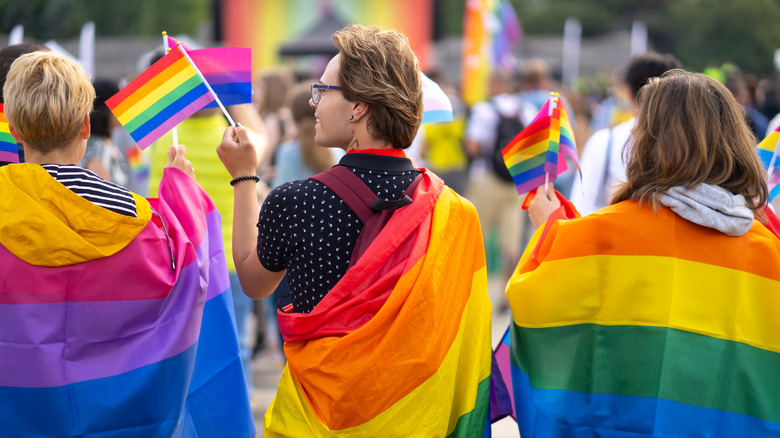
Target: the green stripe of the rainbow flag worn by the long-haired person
(646, 361)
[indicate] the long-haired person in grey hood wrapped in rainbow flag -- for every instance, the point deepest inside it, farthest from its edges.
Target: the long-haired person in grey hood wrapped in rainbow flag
(670, 292)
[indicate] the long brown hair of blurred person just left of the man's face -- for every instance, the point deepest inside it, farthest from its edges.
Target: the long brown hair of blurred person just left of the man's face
(315, 157)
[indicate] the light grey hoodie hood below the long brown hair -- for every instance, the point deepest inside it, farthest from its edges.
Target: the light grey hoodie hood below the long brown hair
(710, 206)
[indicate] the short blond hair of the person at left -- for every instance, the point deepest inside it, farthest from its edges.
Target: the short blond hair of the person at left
(47, 97)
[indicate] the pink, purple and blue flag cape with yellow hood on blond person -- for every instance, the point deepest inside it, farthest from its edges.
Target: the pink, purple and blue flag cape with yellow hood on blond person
(112, 325)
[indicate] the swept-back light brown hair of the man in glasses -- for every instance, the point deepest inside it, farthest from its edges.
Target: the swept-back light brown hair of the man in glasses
(379, 68)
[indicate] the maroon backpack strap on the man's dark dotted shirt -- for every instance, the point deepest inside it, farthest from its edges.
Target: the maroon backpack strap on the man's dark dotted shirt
(370, 209)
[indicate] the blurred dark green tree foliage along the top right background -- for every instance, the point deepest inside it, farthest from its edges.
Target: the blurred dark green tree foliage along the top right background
(699, 32)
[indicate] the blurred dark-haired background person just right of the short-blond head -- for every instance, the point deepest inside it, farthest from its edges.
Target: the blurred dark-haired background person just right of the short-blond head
(101, 155)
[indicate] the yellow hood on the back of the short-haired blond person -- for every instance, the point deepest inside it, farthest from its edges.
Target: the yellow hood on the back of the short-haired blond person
(45, 224)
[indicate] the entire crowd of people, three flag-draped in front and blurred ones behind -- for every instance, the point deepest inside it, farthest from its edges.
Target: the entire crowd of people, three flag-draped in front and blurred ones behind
(330, 231)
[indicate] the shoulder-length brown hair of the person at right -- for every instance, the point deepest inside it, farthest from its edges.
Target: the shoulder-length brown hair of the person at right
(690, 130)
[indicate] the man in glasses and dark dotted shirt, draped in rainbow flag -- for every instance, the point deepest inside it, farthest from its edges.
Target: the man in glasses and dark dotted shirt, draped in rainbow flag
(388, 333)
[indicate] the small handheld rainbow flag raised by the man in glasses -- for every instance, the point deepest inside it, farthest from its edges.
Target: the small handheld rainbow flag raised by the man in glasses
(169, 91)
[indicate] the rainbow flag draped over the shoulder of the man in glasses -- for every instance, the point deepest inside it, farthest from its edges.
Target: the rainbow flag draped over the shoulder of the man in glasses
(401, 345)
